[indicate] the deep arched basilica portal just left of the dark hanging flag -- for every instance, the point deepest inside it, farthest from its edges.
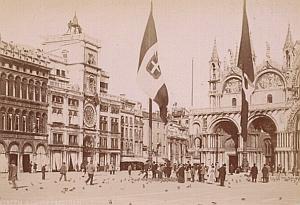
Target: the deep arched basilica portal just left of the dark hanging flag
(227, 142)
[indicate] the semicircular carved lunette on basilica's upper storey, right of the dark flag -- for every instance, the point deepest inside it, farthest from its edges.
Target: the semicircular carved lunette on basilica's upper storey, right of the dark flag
(269, 80)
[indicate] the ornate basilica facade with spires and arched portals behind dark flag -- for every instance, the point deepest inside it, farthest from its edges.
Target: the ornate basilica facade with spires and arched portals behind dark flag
(274, 112)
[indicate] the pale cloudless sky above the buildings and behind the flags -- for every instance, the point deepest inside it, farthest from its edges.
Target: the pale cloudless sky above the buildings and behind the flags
(186, 29)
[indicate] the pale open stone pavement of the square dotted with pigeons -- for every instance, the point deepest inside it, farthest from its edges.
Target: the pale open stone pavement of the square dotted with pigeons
(120, 189)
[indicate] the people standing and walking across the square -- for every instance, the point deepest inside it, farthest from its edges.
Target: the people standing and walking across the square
(214, 173)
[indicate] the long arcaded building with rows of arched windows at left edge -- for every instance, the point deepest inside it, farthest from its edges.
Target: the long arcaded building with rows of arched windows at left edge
(24, 75)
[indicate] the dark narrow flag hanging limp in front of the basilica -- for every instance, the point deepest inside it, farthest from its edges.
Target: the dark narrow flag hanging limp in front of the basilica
(246, 64)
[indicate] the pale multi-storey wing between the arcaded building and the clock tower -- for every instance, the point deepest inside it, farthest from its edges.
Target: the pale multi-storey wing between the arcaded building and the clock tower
(65, 120)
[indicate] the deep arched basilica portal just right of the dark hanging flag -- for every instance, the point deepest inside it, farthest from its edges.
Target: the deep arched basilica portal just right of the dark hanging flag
(261, 141)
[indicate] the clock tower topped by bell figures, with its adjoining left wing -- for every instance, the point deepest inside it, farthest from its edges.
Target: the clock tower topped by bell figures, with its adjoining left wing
(78, 103)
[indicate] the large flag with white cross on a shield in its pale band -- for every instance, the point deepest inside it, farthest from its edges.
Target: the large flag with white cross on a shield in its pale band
(149, 75)
